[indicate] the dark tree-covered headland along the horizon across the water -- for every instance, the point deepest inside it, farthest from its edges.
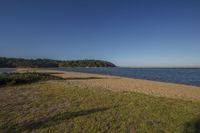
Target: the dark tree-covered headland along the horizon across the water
(36, 63)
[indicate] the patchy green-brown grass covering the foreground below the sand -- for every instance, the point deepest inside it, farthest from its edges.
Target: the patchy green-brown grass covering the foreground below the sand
(62, 106)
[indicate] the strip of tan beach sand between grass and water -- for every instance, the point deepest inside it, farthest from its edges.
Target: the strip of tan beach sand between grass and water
(116, 83)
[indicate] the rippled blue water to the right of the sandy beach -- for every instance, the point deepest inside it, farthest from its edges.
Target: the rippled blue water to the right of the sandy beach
(189, 76)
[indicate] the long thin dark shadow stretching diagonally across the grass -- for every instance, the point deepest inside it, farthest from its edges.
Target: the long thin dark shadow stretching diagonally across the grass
(49, 121)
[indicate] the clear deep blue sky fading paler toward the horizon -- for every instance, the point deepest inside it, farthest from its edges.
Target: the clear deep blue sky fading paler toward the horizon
(126, 32)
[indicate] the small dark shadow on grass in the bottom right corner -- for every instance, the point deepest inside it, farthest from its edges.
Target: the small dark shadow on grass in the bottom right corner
(192, 127)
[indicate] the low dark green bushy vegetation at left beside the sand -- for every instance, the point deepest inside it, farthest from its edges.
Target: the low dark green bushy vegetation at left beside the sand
(23, 78)
